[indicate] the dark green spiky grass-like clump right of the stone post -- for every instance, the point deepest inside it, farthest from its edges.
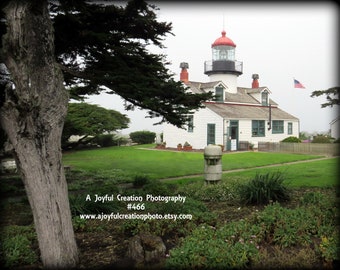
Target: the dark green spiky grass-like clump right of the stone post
(264, 188)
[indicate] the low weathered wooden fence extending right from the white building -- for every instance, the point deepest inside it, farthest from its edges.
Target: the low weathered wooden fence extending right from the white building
(330, 149)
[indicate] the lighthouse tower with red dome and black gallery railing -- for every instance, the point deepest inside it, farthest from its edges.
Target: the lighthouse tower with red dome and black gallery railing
(223, 66)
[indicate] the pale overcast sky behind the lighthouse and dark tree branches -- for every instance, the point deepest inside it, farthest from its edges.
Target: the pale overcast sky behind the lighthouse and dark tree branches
(277, 41)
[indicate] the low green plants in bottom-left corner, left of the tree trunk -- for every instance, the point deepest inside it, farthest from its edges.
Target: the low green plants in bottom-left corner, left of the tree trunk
(16, 246)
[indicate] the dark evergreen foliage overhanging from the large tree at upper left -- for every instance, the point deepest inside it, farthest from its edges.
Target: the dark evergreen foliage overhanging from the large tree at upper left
(116, 57)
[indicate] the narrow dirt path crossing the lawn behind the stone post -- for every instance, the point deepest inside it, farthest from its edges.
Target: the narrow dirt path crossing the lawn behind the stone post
(251, 168)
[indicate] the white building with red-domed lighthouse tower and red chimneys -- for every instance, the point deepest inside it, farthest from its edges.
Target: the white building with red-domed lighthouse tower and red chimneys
(236, 114)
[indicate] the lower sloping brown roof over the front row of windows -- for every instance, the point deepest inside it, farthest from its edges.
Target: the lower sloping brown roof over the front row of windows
(236, 111)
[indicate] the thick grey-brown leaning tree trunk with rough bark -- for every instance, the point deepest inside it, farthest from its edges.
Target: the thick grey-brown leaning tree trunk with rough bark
(32, 116)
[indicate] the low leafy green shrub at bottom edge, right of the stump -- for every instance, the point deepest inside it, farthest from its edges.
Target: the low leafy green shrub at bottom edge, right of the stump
(232, 246)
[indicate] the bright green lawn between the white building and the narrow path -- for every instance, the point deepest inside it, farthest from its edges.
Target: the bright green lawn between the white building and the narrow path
(164, 164)
